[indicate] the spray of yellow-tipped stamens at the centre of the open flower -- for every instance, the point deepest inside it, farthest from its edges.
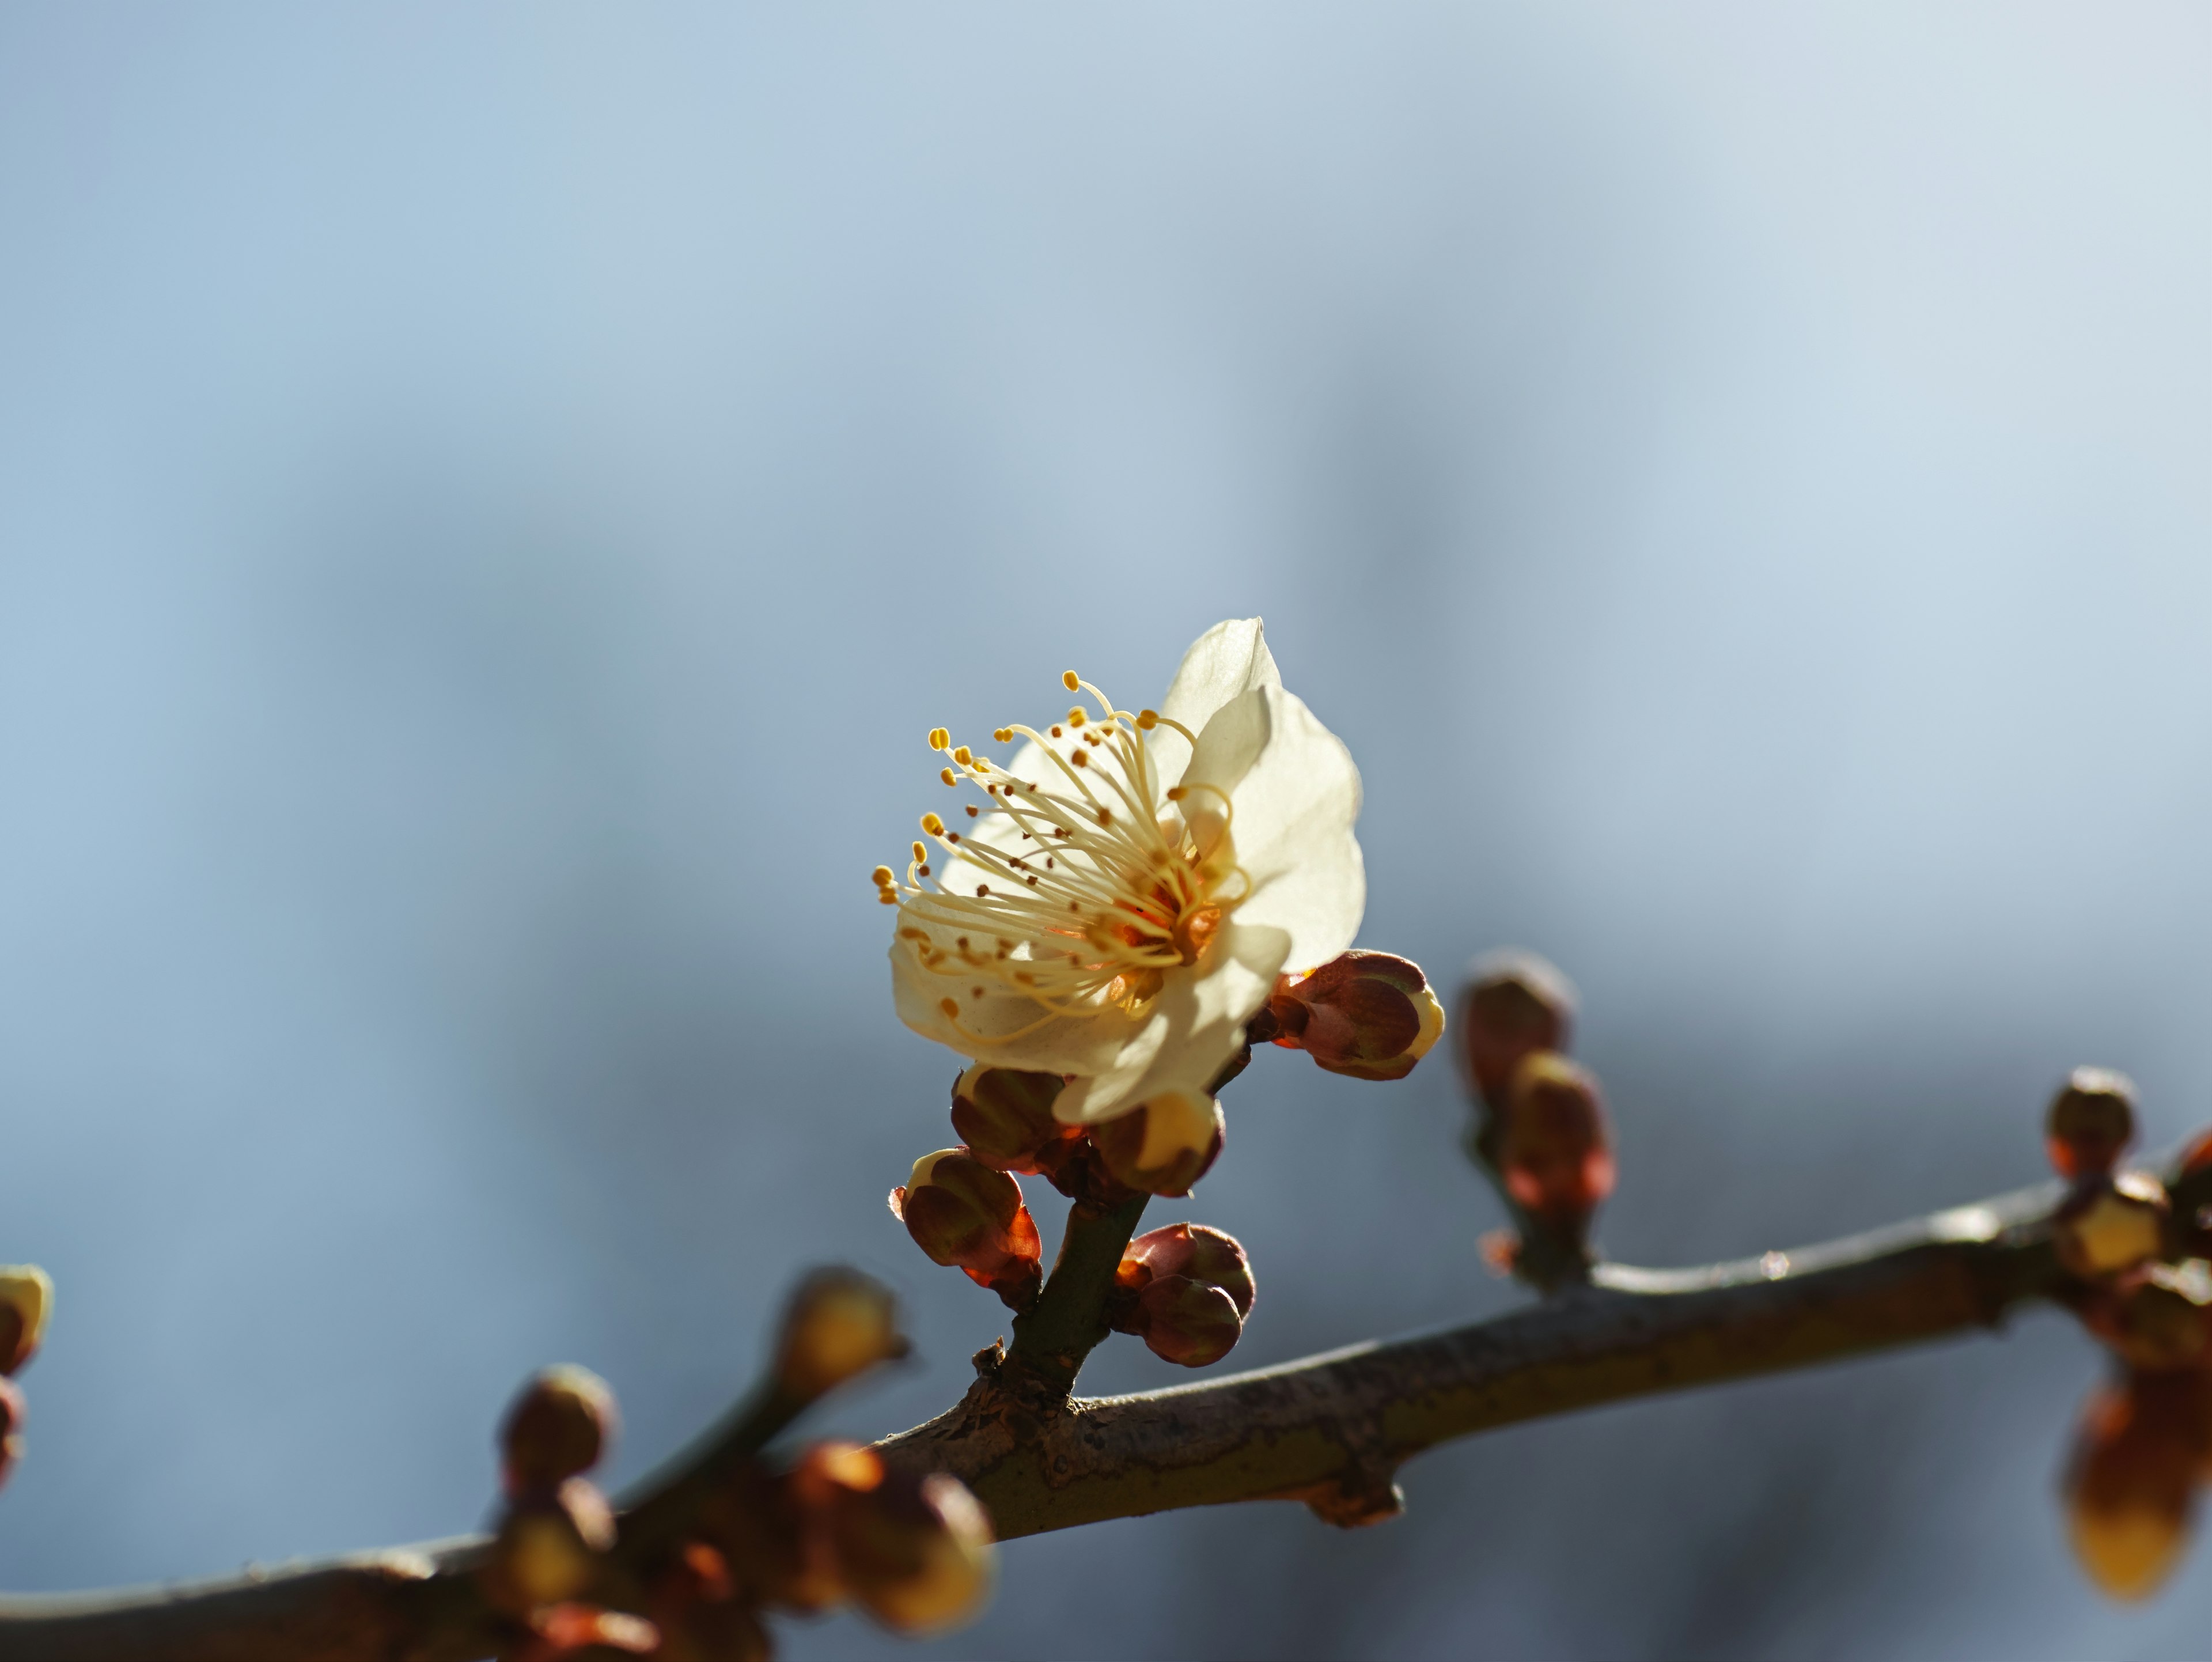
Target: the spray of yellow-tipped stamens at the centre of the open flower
(1078, 893)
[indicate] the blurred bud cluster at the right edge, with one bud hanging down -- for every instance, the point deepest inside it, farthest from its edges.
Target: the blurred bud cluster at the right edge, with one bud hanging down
(2145, 1289)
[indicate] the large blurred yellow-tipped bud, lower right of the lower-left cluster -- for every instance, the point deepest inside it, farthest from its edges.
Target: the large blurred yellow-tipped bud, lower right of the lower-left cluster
(915, 1552)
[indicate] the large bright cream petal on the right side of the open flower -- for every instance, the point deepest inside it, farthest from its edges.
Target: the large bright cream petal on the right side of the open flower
(1295, 798)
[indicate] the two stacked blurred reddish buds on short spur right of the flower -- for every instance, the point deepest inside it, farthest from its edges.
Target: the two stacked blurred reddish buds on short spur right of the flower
(1541, 1121)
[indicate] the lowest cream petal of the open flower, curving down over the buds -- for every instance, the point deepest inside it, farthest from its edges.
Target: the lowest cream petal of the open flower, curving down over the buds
(1191, 1030)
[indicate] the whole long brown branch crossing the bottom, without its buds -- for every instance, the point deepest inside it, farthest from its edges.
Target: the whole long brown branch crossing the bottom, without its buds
(1328, 1431)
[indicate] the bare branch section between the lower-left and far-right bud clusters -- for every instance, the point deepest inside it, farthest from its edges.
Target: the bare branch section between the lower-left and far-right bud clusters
(1333, 1431)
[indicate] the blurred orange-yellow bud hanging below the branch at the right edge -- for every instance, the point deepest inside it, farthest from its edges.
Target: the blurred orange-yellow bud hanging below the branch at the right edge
(2131, 1482)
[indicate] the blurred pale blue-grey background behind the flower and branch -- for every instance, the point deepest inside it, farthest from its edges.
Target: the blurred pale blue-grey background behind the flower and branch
(492, 499)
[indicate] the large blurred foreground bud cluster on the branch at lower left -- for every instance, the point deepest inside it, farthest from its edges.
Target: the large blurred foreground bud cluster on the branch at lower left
(833, 1528)
